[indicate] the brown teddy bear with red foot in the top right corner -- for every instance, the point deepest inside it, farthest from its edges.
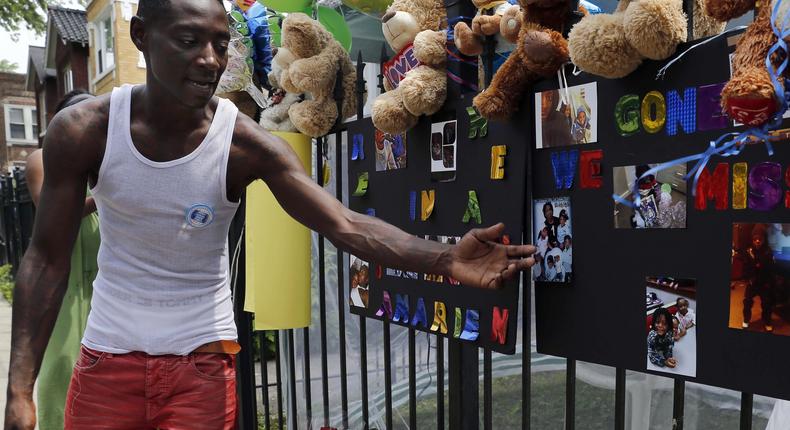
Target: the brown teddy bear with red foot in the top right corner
(749, 96)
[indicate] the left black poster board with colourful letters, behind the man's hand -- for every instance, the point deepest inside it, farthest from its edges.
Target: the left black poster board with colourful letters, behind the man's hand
(449, 181)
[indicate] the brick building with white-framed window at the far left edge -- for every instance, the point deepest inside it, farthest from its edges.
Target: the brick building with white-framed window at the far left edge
(19, 118)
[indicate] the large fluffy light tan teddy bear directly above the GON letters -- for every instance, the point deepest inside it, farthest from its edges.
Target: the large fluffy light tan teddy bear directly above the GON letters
(614, 45)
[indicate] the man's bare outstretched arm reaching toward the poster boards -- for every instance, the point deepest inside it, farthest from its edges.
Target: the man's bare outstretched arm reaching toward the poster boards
(476, 261)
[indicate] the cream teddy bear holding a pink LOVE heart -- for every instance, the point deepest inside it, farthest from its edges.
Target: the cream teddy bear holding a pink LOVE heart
(416, 79)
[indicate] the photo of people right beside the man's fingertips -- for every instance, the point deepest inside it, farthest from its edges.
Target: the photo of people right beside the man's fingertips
(554, 240)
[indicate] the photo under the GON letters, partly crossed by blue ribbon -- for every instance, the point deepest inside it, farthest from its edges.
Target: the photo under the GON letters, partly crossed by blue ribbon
(662, 197)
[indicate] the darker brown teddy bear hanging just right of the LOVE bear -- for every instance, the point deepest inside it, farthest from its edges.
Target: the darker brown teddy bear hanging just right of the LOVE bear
(540, 52)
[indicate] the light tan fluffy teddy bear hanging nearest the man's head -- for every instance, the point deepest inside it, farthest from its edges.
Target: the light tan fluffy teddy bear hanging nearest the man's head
(311, 69)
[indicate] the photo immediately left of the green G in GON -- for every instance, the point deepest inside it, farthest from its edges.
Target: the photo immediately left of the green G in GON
(566, 117)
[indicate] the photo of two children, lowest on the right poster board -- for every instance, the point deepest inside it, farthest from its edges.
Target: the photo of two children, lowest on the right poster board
(671, 325)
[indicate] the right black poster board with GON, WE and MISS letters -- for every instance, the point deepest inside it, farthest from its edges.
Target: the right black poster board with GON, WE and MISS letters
(662, 206)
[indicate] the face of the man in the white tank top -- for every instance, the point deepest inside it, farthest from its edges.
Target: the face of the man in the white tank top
(186, 49)
